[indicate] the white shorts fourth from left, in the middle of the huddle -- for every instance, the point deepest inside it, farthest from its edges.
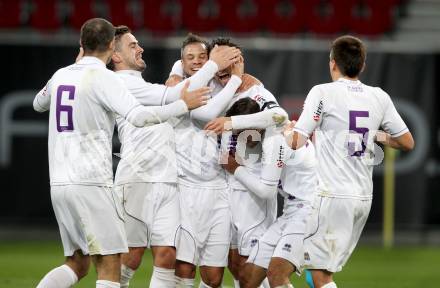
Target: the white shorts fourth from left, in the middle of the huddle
(251, 217)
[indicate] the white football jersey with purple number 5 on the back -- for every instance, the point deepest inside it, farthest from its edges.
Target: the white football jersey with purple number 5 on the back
(345, 115)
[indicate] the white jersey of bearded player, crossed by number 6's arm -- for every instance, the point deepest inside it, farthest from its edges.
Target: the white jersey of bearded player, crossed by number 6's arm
(148, 153)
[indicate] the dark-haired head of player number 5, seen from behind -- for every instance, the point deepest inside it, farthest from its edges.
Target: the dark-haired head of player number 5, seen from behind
(349, 54)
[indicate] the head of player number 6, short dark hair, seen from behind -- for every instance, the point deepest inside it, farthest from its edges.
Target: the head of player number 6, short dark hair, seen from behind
(96, 35)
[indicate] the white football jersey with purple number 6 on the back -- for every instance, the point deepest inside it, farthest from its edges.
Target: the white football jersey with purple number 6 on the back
(83, 99)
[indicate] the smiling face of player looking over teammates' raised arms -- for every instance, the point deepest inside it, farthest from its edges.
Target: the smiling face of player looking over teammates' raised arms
(194, 55)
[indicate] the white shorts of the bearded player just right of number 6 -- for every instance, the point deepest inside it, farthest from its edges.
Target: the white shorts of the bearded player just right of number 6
(152, 215)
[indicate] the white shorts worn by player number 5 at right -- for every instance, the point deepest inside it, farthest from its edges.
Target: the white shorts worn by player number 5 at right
(333, 230)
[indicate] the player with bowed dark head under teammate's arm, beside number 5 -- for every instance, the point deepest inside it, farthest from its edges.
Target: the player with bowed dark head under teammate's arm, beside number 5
(279, 251)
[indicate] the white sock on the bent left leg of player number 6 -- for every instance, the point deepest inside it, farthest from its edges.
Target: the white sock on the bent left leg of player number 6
(59, 277)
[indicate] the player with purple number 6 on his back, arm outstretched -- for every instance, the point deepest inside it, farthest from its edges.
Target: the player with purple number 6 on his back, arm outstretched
(83, 99)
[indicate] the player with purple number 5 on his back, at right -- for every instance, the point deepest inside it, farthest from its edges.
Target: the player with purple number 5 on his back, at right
(345, 116)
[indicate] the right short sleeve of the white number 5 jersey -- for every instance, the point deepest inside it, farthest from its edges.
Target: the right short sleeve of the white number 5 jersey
(392, 123)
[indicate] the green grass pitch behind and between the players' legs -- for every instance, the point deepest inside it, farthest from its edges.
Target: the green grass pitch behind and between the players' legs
(22, 264)
